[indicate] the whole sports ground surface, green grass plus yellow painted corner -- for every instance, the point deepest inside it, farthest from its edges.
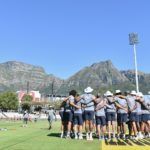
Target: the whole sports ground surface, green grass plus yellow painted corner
(37, 137)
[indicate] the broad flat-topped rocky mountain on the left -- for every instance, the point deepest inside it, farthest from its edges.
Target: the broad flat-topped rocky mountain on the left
(16, 75)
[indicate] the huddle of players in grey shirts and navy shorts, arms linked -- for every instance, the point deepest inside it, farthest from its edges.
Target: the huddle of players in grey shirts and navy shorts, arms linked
(108, 115)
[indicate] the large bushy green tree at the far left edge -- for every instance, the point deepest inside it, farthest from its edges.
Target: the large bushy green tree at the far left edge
(8, 101)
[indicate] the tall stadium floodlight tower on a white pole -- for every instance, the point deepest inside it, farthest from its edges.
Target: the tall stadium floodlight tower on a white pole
(133, 40)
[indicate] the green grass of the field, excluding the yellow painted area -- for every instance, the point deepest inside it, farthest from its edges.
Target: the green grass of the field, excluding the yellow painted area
(37, 137)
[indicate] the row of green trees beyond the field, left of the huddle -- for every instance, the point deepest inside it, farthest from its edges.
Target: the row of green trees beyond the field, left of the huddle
(9, 101)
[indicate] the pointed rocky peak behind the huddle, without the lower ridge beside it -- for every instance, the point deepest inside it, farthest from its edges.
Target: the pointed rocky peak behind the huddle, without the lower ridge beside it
(98, 75)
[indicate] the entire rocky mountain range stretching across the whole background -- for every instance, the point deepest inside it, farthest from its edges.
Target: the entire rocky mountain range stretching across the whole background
(100, 76)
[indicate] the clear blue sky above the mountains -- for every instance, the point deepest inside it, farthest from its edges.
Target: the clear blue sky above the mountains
(63, 36)
